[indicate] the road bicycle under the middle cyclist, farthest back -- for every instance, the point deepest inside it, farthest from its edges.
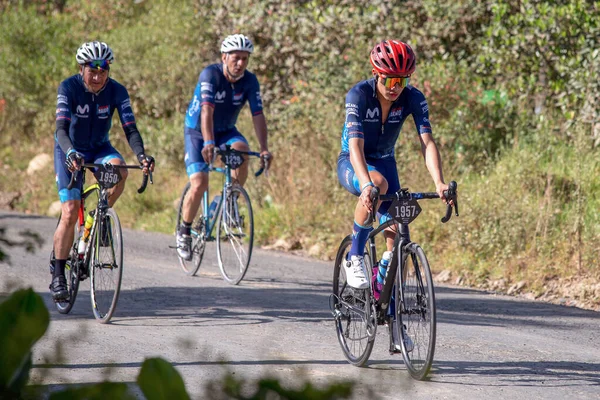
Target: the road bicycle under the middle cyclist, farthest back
(231, 216)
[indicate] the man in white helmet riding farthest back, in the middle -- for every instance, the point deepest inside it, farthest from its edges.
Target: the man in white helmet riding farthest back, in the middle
(220, 94)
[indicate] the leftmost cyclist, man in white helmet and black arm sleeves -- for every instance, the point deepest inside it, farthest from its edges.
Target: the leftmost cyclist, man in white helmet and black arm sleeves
(85, 105)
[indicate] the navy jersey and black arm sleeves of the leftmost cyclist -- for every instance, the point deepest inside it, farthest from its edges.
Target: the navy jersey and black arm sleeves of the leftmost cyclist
(89, 115)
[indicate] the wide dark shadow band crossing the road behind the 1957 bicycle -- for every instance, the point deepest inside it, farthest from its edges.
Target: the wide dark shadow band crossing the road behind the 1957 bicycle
(309, 303)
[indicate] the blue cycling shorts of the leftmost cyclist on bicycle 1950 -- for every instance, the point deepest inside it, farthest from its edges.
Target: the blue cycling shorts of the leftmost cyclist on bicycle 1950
(100, 155)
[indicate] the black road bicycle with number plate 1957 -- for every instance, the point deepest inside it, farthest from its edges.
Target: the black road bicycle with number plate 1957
(406, 303)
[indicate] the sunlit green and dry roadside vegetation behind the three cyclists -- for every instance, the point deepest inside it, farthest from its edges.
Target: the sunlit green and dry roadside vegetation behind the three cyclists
(513, 89)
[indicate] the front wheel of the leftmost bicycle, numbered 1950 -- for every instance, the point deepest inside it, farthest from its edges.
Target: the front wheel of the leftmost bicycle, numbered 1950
(106, 266)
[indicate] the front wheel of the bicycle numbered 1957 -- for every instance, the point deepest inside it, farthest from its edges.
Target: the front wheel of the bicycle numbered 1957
(417, 313)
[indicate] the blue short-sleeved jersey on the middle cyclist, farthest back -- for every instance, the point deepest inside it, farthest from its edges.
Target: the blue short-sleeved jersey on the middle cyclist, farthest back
(226, 98)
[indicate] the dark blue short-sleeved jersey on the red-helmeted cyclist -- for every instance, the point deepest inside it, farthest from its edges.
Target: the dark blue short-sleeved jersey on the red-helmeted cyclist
(363, 118)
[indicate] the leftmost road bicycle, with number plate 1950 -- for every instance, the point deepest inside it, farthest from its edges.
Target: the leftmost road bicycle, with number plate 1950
(101, 257)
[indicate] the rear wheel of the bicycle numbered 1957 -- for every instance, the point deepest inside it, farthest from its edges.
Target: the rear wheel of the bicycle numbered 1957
(356, 339)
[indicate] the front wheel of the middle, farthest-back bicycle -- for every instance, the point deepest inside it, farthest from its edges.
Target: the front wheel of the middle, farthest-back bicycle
(235, 235)
